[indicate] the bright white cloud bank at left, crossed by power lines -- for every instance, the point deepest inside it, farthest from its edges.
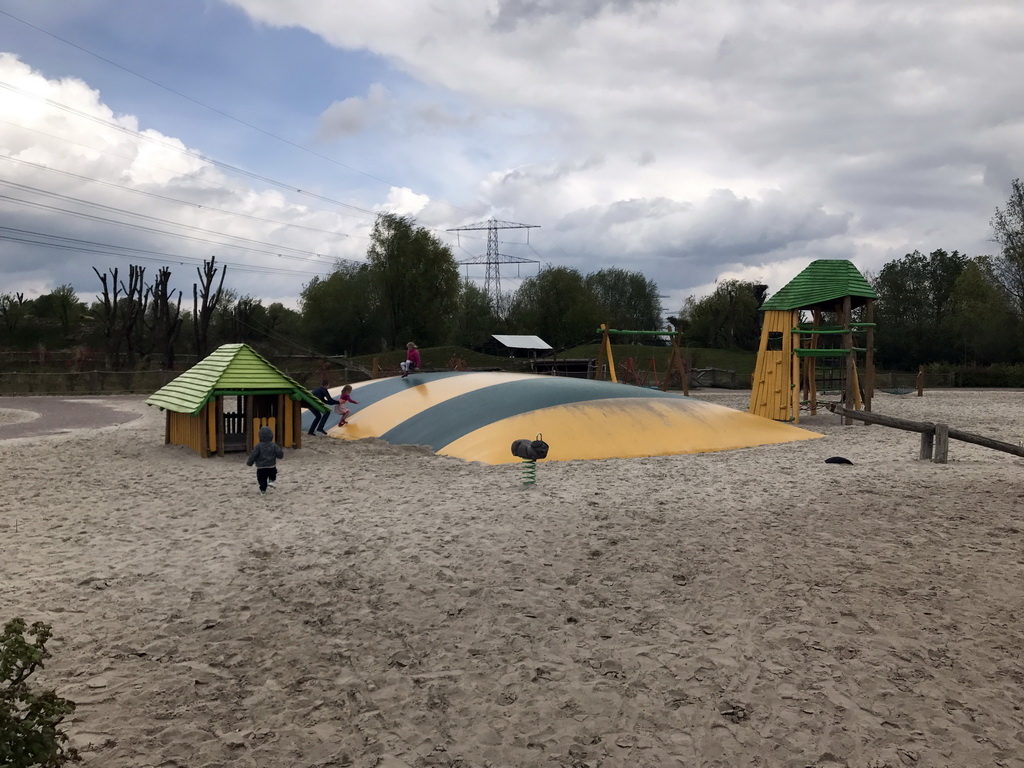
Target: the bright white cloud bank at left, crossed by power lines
(81, 186)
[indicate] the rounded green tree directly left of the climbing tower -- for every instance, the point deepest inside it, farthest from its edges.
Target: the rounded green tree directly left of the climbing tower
(729, 319)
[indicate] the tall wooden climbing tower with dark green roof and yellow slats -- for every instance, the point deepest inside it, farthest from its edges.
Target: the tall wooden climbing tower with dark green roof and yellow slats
(787, 367)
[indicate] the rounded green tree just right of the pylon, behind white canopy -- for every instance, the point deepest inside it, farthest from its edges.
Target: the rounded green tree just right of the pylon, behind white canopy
(558, 306)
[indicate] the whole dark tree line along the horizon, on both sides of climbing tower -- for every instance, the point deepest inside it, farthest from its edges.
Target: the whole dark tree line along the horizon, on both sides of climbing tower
(944, 308)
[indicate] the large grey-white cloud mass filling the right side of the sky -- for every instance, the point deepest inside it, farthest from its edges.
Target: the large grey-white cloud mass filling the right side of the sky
(879, 127)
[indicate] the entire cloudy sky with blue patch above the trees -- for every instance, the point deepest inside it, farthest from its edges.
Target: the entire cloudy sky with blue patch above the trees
(694, 141)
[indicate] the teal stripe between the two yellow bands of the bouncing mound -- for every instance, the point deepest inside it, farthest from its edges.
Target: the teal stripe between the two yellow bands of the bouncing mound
(459, 416)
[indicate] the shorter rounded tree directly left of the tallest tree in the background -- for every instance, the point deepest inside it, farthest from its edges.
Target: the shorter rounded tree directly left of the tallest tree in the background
(340, 312)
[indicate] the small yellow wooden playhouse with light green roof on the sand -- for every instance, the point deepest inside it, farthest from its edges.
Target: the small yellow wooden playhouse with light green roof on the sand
(220, 405)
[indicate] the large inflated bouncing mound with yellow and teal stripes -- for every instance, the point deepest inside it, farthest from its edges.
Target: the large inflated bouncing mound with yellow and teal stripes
(478, 416)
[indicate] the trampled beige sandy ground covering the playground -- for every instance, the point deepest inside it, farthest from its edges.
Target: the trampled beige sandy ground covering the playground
(385, 607)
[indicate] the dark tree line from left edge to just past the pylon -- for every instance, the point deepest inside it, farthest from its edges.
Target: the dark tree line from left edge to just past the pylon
(409, 288)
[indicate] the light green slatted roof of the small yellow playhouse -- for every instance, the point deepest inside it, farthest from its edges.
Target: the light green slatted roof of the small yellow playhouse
(233, 369)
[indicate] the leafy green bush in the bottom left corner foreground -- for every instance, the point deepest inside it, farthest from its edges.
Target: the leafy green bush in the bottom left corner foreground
(29, 720)
